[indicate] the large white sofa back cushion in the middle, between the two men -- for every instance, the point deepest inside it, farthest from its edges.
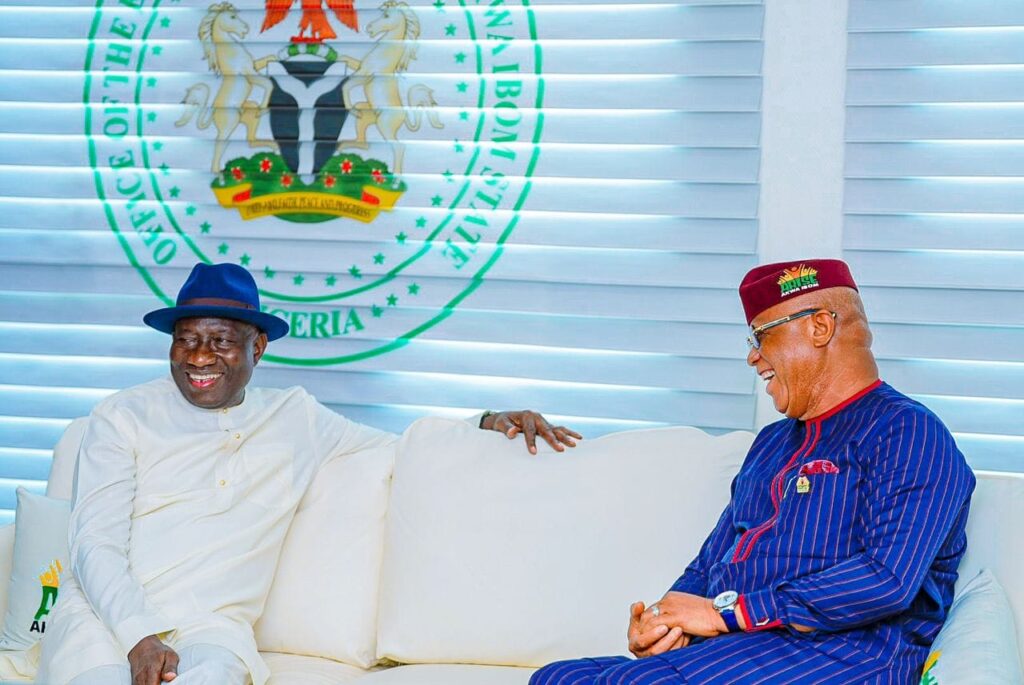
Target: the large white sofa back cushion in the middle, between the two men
(494, 556)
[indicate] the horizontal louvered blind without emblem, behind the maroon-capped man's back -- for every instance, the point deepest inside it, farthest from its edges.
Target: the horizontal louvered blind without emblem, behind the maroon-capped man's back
(935, 210)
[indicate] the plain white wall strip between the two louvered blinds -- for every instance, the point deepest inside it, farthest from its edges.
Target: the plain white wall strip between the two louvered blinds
(802, 137)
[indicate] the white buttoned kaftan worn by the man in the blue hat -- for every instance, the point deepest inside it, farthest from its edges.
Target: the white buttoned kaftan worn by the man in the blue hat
(179, 517)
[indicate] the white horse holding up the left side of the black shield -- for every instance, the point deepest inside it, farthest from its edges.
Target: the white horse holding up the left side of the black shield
(221, 32)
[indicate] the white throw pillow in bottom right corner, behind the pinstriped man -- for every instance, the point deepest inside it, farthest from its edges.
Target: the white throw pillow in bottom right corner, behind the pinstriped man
(978, 644)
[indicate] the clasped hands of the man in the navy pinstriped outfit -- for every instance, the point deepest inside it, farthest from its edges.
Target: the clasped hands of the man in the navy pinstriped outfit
(680, 617)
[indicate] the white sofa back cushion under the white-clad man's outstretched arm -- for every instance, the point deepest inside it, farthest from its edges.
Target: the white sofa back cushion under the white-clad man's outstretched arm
(324, 598)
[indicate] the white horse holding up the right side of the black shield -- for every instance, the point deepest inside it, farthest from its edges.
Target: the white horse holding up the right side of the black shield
(396, 31)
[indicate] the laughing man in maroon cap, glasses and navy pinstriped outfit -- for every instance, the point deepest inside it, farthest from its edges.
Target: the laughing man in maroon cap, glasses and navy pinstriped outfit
(836, 559)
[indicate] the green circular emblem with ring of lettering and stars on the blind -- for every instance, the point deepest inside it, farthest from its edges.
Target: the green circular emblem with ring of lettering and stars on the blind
(366, 167)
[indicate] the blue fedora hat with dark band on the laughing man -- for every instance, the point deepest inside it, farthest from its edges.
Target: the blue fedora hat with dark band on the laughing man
(223, 291)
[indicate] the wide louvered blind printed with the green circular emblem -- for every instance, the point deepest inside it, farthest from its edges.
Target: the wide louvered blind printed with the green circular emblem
(553, 207)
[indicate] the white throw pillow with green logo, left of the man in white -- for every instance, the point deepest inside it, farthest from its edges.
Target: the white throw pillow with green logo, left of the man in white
(40, 564)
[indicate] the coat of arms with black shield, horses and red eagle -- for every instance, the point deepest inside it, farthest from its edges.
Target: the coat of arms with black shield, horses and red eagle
(310, 168)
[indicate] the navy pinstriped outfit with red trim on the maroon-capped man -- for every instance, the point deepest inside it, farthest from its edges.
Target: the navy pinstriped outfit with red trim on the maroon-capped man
(851, 524)
